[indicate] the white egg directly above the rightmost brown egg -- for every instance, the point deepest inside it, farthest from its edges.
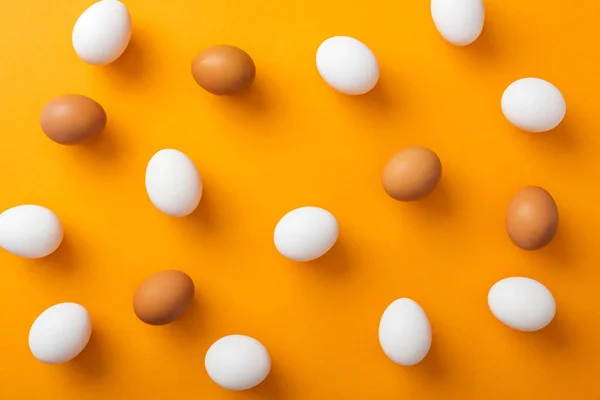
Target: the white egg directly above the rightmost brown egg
(533, 105)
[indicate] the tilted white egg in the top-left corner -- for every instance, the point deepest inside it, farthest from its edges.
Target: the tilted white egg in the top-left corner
(102, 33)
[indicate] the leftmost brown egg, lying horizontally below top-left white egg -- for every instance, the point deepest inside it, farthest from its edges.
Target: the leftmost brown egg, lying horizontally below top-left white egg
(72, 119)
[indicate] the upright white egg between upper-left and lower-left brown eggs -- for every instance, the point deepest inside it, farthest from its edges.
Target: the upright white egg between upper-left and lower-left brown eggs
(173, 183)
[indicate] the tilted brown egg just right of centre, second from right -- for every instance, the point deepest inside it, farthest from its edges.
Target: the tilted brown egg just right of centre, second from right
(412, 174)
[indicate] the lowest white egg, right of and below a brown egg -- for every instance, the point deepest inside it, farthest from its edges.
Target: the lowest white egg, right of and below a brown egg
(237, 362)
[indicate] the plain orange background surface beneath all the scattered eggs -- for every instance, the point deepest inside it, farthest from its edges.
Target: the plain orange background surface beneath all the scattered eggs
(293, 141)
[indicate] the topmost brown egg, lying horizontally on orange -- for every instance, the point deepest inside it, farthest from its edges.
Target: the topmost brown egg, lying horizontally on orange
(223, 70)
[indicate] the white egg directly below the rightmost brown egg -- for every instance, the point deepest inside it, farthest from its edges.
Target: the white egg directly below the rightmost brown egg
(522, 303)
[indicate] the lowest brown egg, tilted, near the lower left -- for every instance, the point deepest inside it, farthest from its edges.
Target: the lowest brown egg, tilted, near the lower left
(163, 297)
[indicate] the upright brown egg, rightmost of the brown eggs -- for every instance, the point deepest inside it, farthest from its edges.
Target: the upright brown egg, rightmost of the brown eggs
(532, 218)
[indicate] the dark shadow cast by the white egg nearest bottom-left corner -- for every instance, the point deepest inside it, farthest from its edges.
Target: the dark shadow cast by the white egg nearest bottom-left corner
(92, 362)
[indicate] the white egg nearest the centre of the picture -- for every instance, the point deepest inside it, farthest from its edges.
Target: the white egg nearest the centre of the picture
(306, 233)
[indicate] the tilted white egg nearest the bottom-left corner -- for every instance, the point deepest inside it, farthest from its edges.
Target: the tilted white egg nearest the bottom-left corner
(60, 333)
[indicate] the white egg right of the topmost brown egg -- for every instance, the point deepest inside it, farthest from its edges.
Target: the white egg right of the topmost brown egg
(347, 65)
